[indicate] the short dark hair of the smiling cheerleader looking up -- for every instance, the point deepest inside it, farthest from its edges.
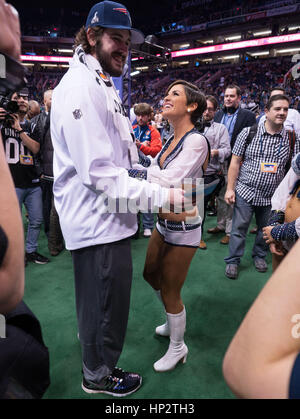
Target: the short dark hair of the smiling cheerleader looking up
(193, 95)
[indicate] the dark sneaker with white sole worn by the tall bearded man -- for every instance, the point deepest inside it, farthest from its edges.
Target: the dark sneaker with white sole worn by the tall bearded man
(118, 384)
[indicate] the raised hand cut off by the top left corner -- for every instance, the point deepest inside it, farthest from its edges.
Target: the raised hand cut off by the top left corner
(10, 39)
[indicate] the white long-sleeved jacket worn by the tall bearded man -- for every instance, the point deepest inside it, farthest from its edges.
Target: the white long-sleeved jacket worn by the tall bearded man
(92, 148)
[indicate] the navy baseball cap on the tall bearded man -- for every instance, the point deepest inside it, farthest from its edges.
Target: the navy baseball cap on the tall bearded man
(109, 14)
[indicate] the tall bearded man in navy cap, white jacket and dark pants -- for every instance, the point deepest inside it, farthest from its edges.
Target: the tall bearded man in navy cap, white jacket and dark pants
(95, 198)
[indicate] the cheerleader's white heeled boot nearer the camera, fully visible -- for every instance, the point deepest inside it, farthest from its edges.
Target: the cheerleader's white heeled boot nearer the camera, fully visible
(177, 350)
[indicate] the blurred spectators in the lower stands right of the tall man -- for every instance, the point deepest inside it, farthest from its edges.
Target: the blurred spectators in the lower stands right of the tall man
(254, 80)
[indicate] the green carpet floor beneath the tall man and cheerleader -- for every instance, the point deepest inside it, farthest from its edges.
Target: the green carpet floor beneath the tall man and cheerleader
(215, 306)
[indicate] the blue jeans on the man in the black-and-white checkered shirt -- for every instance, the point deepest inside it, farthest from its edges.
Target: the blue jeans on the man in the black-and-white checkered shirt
(242, 215)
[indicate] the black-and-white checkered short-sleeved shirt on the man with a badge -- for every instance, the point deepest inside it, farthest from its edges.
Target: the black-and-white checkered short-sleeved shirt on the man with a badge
(255, 186)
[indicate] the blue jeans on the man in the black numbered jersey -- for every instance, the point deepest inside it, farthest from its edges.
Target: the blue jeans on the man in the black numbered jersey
(32, 199)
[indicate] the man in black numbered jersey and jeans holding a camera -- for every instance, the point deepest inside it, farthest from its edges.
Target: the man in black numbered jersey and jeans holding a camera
(20, 149)
